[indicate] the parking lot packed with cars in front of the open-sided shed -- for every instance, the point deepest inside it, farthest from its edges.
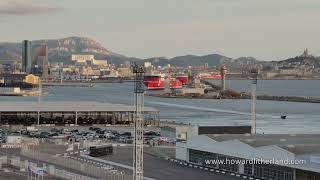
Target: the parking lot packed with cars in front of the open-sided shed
(125, 134)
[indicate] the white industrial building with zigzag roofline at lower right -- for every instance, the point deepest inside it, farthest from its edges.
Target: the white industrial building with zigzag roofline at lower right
(260, 156)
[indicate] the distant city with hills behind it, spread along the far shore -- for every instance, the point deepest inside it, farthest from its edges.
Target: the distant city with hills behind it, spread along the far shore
(62, 63)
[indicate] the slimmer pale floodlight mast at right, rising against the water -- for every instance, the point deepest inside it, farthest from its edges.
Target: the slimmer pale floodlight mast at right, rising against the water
(254, 74)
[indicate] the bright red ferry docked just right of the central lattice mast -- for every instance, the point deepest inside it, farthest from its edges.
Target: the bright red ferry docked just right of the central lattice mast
(156, 82)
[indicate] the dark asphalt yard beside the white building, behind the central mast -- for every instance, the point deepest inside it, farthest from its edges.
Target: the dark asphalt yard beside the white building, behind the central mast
(162, 169)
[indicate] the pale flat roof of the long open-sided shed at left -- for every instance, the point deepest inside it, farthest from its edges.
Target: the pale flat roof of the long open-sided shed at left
(67, 106)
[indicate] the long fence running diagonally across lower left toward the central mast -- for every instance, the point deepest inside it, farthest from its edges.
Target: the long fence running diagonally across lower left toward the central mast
(84, 168)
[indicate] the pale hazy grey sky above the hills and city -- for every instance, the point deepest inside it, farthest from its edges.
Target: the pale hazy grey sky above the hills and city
(264, 29)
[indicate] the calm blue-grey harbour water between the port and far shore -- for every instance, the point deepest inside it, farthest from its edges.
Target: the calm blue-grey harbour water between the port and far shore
(301, 117)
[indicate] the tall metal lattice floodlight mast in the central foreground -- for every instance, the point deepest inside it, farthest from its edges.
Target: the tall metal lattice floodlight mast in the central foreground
(139, 122)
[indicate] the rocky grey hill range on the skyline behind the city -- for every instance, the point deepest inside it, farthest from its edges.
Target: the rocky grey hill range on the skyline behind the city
(60, 50)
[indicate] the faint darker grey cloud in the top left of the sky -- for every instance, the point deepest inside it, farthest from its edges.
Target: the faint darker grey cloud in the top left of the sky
(21, 7)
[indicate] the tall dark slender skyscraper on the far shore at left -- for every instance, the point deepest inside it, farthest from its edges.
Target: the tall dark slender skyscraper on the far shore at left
(26, 56)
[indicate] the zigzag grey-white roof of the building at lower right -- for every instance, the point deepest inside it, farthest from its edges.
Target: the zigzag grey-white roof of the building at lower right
(266, 146)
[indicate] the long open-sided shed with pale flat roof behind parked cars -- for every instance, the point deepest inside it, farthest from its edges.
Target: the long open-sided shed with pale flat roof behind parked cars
(66, 112)
